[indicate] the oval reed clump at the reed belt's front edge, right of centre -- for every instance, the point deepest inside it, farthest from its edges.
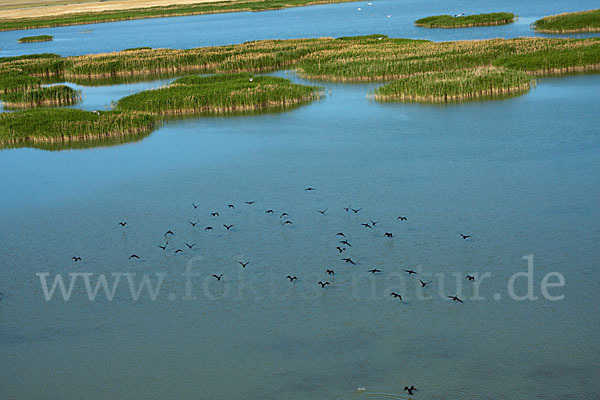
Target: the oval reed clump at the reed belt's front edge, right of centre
(455, 85)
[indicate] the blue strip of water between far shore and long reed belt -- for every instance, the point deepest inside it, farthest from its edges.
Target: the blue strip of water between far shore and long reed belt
(304, 22)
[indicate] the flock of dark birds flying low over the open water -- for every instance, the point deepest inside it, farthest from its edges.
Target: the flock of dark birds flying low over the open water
(343, 245)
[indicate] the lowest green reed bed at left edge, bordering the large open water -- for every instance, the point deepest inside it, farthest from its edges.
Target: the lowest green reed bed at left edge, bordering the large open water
(66, 124)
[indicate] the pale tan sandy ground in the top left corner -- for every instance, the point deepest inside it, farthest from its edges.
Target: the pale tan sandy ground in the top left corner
(18, 9)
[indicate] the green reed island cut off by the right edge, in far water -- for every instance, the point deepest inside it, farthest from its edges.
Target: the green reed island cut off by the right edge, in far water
(582, 21)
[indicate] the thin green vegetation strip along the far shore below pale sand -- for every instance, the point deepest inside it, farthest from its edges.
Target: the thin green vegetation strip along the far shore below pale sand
(155, 12)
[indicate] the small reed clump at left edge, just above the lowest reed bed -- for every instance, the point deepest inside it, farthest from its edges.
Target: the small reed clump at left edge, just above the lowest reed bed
(50, 96)
